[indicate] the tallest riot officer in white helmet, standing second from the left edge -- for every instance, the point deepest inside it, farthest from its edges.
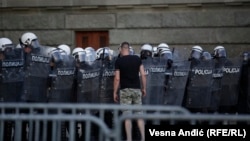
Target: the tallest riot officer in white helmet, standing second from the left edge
(36, 75)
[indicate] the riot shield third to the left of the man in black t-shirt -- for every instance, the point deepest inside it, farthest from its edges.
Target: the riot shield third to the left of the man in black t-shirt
(62, 79)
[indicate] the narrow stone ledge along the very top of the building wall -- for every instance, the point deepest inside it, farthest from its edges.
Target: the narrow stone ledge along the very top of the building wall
(51, 3)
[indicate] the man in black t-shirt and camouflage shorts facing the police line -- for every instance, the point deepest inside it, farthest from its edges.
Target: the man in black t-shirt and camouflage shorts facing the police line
(127, 69)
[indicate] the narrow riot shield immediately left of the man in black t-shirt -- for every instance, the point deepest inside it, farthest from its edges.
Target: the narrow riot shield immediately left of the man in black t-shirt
(107, 81)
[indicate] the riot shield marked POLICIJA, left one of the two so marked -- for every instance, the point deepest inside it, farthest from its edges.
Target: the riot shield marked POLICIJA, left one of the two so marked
(198, 89)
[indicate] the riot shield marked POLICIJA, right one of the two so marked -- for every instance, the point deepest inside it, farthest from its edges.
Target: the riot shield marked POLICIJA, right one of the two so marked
(230, 82)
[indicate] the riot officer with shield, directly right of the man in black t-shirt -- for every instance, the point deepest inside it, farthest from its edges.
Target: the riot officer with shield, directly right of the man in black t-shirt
(154, 69)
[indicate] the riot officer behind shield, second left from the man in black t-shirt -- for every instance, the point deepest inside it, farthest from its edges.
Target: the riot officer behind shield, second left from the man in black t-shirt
(88, 82)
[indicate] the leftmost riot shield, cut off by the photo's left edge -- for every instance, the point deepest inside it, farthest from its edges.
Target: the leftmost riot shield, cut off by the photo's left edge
(12, 76)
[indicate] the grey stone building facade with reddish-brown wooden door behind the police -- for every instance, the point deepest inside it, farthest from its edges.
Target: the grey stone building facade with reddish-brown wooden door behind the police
(181, 24)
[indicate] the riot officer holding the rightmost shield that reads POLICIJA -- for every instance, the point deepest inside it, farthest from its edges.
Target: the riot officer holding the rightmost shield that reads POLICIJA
(229, 89)
